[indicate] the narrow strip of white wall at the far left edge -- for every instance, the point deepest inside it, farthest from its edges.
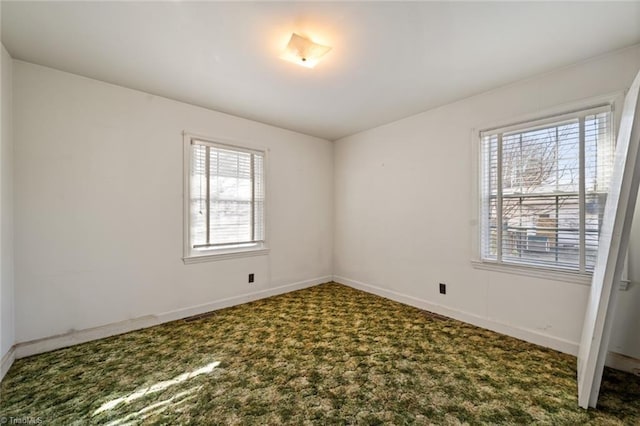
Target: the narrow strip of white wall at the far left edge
(6, 207)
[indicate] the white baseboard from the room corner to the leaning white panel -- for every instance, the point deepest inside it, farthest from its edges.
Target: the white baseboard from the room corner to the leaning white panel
(528, 335)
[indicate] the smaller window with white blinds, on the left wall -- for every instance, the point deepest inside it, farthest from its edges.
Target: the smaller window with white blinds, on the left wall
(224, 199)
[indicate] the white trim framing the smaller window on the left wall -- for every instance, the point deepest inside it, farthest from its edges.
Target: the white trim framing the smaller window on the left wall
(223, 253)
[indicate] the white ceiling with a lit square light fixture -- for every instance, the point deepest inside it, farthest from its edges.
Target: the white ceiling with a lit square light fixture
(389, 60)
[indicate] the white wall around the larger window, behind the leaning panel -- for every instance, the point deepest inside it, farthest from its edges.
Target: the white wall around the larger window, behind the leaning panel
(404, 219)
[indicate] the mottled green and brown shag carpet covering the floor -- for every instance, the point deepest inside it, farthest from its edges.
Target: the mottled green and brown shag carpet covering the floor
(324, 355)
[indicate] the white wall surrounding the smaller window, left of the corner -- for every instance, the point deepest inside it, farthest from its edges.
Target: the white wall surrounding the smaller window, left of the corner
(98, 206)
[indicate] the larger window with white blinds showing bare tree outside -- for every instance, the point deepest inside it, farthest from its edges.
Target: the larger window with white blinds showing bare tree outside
(544, 186)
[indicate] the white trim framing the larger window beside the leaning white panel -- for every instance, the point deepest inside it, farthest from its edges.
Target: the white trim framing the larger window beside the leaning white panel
(614, 100)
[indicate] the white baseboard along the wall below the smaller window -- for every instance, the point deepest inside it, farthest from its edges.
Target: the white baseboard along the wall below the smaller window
(47, 344)
